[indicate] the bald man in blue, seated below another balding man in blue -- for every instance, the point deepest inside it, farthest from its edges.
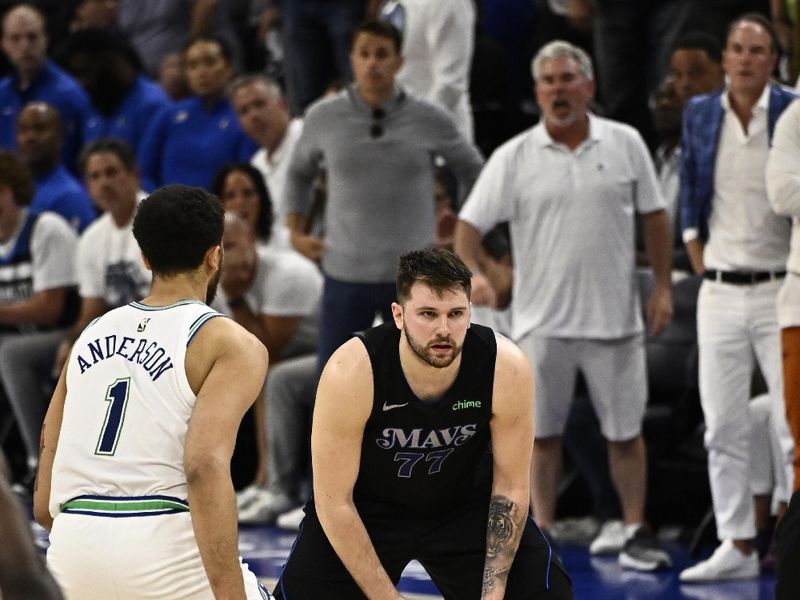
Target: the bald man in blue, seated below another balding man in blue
(39, 141)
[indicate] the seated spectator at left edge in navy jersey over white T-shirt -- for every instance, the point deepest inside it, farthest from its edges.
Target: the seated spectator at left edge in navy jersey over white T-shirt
(38, 300)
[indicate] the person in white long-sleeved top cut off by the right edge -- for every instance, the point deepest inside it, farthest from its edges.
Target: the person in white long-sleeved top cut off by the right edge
(783, 187)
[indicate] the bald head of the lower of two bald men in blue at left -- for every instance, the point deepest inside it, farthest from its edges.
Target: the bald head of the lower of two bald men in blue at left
(39, 136)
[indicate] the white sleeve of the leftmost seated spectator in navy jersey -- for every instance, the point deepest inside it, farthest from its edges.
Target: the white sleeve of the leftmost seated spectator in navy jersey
(53, 247)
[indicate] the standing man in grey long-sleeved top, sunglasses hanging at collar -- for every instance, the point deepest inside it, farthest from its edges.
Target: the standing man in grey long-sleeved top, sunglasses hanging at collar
(378, 144)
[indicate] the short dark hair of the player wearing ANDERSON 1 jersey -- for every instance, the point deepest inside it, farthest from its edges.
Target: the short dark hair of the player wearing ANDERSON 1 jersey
(176, 225)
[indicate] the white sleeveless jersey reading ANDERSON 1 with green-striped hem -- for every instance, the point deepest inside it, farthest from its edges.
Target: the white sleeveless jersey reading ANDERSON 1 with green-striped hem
(127, 411)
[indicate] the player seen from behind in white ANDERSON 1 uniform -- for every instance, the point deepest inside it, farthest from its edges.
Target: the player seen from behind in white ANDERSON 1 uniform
(134, 476)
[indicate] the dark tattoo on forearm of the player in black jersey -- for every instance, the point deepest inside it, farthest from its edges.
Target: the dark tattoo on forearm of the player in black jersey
(504, 530)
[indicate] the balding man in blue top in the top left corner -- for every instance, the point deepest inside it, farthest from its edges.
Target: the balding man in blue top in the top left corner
(35, 77)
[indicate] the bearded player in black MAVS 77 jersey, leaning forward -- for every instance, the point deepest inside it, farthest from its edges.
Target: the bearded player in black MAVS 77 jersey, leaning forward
(421, 444)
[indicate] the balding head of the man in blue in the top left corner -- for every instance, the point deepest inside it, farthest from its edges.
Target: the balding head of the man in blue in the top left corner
(24, 40)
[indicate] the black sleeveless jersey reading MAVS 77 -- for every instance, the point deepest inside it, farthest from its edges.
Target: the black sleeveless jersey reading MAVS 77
(426, 457)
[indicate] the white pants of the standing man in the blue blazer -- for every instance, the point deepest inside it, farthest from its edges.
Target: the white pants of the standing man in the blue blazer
(737, 324)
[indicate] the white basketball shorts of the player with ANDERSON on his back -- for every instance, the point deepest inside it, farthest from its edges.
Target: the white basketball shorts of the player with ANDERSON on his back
(132, 558)
